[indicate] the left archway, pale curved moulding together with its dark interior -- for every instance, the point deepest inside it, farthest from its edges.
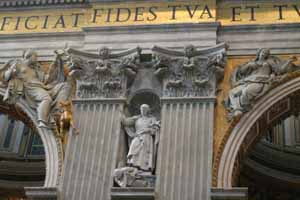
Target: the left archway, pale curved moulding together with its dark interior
(40, 145)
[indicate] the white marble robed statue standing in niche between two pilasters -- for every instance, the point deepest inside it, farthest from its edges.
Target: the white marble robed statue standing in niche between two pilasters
(142, 131)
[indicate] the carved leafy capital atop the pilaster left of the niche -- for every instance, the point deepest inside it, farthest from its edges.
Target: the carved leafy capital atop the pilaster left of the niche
(105, 74)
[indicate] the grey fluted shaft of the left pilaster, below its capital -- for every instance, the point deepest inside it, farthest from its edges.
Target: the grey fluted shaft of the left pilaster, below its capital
(90, 156)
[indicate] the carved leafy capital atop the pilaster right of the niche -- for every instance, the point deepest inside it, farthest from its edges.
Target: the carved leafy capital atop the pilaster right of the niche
(190, 73)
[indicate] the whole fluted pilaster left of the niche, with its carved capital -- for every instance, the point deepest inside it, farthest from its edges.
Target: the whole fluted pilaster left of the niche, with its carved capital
(100, 97)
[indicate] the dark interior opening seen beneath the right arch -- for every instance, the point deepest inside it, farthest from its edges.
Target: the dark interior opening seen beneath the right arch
(271, 168)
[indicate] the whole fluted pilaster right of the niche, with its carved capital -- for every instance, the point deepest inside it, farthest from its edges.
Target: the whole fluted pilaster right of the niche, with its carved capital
(190, 79)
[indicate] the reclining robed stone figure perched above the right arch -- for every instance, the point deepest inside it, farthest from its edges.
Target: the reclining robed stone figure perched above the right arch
(253, 79)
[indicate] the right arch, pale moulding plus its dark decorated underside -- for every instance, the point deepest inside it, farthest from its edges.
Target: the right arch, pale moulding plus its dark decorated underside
(277, 103)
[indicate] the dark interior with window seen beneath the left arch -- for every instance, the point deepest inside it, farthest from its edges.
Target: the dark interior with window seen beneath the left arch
(22, 157)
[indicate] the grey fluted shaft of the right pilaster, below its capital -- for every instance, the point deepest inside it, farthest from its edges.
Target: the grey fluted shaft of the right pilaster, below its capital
(185, 151)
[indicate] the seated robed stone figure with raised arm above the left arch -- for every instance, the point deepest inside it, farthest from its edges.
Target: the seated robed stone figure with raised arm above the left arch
(42, 91)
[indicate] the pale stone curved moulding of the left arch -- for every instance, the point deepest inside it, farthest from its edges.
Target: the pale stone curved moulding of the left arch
(52, 146)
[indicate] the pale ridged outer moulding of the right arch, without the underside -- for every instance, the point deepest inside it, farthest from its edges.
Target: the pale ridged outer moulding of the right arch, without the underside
(242, 128)
